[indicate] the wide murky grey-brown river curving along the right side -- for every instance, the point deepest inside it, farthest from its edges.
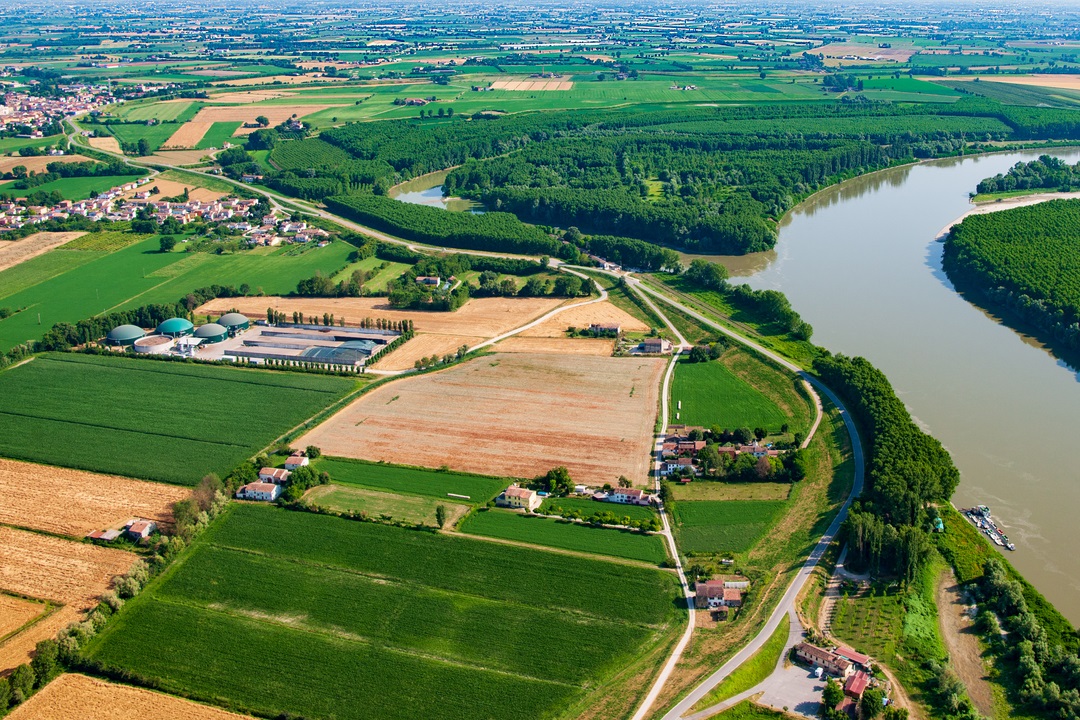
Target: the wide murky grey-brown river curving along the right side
(860, 262)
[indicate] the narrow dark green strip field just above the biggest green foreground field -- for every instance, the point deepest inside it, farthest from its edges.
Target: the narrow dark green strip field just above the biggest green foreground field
(566, 536)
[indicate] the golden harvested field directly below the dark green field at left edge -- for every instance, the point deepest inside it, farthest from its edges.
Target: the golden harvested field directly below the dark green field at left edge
(71, 502)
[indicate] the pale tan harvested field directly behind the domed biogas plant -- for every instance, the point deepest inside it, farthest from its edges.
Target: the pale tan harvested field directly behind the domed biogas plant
(481, 318)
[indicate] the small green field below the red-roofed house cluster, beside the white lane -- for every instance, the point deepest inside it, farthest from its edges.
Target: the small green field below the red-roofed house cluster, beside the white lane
(724, 526)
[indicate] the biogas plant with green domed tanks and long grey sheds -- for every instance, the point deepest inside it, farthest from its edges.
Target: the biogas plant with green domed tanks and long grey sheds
(234, 337)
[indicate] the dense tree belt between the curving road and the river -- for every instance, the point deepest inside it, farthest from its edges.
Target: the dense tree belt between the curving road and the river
(907, 471)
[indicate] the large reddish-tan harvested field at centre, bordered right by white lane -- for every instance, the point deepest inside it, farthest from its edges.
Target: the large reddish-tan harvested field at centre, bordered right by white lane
(517, 415)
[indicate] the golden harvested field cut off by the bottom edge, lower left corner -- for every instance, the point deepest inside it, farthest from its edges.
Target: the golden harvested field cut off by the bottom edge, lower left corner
(80, 698)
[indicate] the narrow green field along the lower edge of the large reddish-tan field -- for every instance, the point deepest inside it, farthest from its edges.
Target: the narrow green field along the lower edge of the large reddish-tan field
(412, 481)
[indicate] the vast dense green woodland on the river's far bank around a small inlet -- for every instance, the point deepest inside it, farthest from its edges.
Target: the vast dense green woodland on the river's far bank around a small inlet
(706, 180)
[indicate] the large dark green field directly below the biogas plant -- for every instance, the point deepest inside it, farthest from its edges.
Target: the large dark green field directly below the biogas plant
(163, 422)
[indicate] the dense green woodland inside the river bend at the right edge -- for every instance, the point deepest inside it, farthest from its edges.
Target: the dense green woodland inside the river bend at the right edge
(1025, 262)
